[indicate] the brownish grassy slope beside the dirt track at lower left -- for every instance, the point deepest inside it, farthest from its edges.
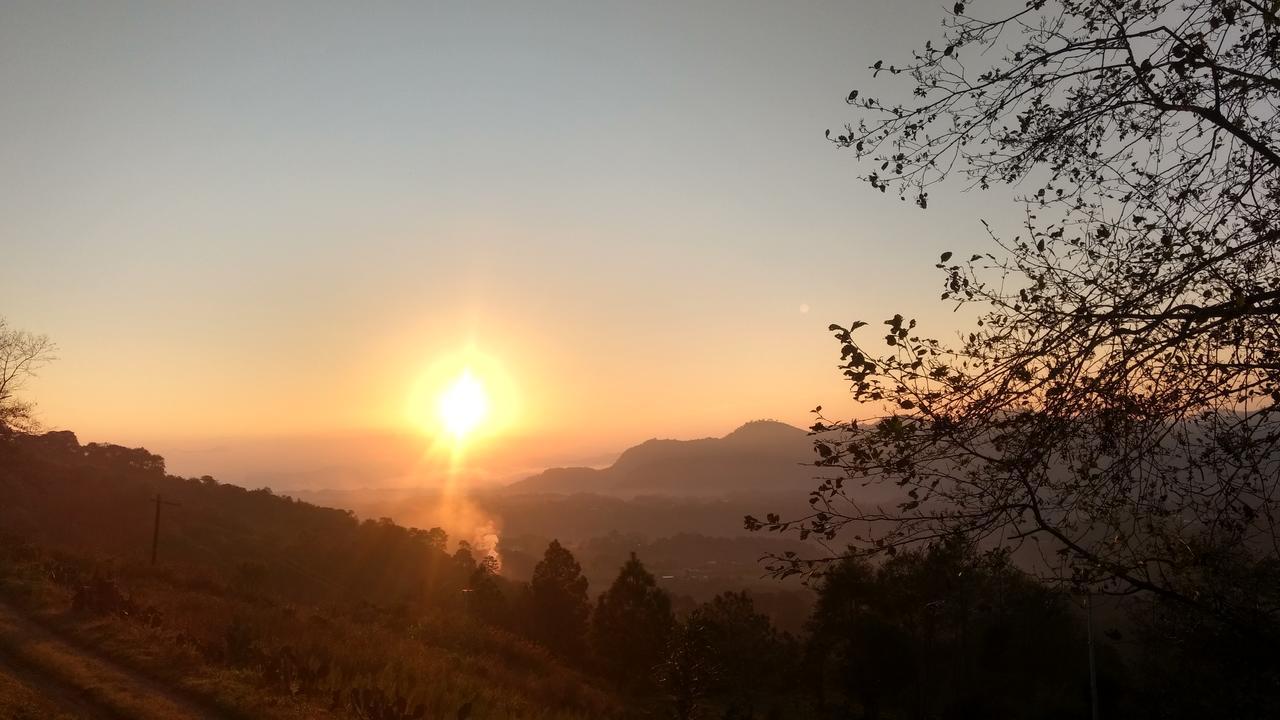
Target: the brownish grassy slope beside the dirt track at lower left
(255, 658)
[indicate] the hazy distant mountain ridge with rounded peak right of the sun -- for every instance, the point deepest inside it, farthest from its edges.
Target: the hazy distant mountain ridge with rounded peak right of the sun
(760, 457)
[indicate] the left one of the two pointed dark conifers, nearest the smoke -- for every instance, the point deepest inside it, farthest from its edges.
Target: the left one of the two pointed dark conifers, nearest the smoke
(559, 605)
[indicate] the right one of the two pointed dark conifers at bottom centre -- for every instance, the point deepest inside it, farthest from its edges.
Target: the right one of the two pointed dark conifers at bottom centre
(632, 626)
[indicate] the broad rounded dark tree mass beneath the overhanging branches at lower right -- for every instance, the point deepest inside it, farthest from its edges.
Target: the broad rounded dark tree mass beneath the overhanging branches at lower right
(947, 632)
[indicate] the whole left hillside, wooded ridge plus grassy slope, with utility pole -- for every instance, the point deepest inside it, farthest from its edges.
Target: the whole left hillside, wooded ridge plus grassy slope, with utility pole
(260, 605)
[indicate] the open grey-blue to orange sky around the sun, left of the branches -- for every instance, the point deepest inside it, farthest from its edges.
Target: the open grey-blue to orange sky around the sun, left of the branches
(254, 224)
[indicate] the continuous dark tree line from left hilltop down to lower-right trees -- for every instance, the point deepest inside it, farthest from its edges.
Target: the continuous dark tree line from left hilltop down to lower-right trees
(885, 640)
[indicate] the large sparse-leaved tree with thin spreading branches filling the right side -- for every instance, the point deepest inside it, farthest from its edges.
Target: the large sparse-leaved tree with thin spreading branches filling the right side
(1118, 399)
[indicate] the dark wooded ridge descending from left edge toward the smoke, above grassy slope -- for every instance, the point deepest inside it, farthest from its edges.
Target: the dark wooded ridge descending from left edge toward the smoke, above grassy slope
(99, 498)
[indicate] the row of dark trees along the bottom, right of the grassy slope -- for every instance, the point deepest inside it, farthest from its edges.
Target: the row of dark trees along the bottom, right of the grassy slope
(945, 632)
